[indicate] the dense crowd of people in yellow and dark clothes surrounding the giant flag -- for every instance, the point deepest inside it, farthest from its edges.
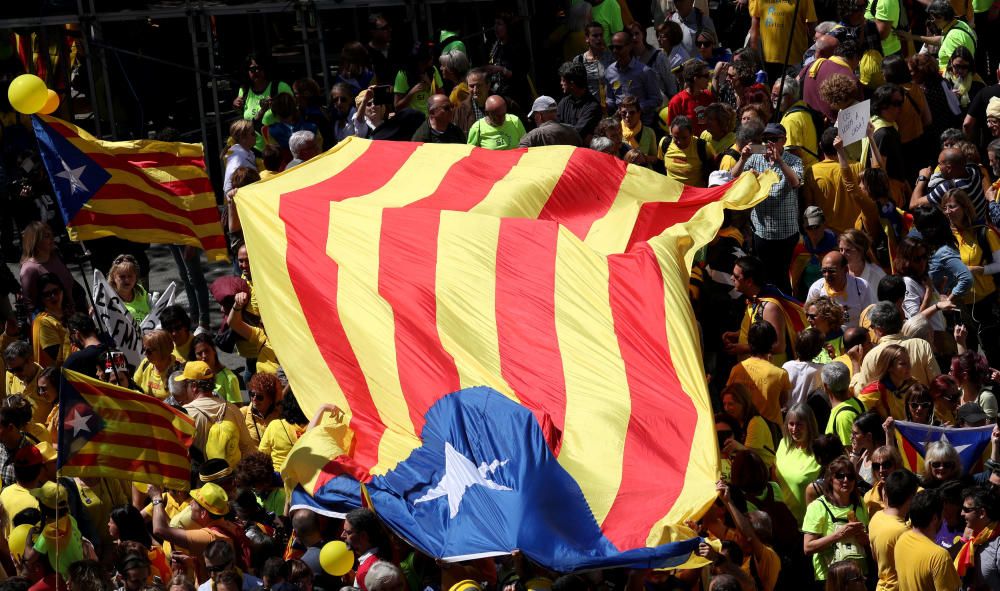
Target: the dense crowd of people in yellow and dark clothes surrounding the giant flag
(861, 292)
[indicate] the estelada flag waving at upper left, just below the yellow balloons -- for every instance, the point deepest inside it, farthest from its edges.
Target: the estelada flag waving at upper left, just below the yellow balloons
(144, 190)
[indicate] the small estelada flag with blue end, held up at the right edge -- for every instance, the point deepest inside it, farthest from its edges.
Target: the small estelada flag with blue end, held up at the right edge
(912, 440)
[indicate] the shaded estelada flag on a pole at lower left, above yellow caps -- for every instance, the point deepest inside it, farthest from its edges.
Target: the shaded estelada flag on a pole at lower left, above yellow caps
(112, 432)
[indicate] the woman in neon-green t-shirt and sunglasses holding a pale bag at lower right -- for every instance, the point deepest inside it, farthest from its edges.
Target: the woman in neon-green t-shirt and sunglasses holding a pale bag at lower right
(835, 525)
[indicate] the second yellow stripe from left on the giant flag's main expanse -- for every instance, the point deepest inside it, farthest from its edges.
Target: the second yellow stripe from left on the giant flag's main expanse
(369, 324)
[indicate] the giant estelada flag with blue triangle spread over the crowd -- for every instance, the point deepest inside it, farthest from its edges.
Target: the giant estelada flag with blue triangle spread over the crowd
(509, 338)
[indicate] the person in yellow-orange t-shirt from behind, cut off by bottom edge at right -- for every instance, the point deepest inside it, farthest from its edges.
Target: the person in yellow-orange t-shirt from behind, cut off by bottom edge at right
(922, 565)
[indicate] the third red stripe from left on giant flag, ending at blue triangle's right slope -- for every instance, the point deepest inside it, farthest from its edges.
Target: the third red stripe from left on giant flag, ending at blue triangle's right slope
(526, 325)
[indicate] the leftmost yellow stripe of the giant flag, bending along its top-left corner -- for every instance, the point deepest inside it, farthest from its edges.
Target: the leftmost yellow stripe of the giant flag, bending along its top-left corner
(267, 244)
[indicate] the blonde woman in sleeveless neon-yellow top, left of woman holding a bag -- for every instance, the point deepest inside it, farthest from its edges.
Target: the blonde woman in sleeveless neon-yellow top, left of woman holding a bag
(795, 464)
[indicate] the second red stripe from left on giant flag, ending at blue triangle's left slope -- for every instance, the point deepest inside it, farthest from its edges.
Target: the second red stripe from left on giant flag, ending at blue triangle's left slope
(406, 280)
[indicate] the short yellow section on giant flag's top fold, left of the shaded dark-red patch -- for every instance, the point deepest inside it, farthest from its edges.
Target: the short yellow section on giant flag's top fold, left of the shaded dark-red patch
(523, 192)
